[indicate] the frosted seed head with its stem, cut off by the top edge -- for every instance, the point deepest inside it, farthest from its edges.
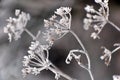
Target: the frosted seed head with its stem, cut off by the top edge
(98, 18)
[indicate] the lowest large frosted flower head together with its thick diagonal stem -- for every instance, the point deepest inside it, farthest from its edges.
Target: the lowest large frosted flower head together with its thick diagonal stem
(37, 61)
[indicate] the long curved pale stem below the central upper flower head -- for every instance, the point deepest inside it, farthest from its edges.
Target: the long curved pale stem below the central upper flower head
(86, 54)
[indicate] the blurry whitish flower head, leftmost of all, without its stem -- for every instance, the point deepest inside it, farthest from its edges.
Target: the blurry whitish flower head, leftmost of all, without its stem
(15, 26)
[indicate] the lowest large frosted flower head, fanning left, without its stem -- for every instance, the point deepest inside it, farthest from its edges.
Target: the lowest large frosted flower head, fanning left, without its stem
(36, 61)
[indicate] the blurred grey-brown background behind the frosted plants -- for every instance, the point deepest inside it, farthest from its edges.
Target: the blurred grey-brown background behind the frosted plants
(11, 54)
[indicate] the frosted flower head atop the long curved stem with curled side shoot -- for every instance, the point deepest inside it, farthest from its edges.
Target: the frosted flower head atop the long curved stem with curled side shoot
(58, 27)
